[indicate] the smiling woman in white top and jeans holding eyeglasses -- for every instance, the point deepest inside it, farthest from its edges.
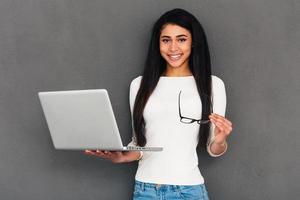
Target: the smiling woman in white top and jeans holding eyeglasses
(176, 104)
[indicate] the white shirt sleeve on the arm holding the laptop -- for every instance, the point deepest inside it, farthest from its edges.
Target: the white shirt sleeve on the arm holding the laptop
(133, 89)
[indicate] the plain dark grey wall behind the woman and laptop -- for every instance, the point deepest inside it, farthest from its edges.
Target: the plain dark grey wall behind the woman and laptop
(76, 44)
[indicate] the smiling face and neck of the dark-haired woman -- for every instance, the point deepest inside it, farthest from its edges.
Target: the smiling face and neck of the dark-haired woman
(175, 44)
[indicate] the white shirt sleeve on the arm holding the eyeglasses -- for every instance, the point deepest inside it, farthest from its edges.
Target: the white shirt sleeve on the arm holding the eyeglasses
(219, 107)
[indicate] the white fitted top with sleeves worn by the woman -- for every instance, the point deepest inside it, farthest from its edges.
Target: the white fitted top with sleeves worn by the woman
(177, 164)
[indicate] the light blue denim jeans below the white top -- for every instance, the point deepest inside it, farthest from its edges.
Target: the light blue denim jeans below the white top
(151, 191)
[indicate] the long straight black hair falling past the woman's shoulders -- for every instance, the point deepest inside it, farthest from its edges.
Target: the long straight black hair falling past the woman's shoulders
(199, 63)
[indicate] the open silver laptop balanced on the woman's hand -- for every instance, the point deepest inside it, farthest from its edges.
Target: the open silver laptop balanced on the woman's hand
(83, 119)
